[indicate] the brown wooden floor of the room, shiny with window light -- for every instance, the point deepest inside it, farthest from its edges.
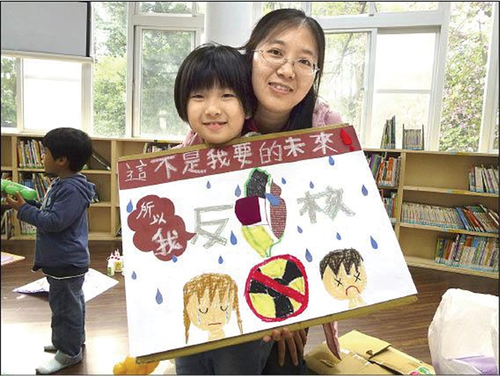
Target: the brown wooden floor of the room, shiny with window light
(26, 319)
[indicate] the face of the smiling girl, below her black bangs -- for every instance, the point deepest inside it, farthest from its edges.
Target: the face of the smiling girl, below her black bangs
(215, 114)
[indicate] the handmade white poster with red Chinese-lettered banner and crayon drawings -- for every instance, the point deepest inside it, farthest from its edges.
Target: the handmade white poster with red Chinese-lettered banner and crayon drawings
(271, 230)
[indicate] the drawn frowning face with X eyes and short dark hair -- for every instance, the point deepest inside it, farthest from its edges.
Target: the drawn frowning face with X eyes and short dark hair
(344, 276)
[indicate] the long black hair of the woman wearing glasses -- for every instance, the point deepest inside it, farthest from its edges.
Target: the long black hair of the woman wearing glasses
(276, 22)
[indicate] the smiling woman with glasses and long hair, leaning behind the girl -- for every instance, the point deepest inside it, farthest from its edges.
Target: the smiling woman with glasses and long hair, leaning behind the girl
(286, 52)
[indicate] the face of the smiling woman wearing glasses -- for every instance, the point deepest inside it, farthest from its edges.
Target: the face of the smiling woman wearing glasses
(279, 88)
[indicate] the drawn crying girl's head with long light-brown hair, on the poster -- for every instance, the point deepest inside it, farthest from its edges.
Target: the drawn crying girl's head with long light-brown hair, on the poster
(209, 300)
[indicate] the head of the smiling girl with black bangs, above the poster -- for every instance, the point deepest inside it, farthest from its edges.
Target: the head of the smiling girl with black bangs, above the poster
(212, 93)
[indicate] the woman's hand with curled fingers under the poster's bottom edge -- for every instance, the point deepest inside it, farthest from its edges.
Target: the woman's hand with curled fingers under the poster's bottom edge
(296, 342)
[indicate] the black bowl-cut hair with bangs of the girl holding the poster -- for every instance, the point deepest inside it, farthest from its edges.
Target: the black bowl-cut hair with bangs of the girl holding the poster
(210, 65)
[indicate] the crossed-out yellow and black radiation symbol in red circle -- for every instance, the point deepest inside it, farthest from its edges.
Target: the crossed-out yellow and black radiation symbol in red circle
(277, 289)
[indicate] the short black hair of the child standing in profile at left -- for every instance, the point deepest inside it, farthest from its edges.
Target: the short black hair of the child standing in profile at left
(71, 143)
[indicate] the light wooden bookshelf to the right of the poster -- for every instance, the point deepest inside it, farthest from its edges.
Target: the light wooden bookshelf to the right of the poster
(441, 179)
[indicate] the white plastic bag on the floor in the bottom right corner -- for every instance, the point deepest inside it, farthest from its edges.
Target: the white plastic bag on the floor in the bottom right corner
(463, 335)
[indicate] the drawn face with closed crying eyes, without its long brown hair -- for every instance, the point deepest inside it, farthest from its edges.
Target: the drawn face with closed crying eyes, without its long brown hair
(210, 315)
